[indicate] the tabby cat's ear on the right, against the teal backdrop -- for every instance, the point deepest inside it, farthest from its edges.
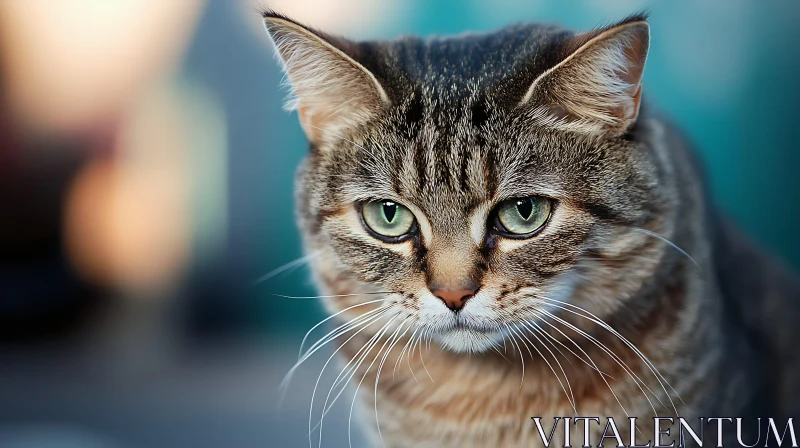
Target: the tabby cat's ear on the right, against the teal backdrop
(597, 88)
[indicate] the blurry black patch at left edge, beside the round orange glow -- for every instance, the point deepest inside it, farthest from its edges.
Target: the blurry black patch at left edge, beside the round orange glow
(41, 295)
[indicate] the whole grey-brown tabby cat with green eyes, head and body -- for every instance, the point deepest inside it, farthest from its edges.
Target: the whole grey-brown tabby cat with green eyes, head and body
(502, 213)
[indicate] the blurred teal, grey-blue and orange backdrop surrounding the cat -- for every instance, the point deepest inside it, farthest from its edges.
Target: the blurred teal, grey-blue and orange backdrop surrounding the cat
(146, 218)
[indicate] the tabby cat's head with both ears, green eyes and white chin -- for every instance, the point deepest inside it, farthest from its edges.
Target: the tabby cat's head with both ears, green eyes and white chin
(476, 181)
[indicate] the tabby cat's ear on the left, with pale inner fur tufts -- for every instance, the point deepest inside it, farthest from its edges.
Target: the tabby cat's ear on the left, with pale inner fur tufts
(331, 91)
